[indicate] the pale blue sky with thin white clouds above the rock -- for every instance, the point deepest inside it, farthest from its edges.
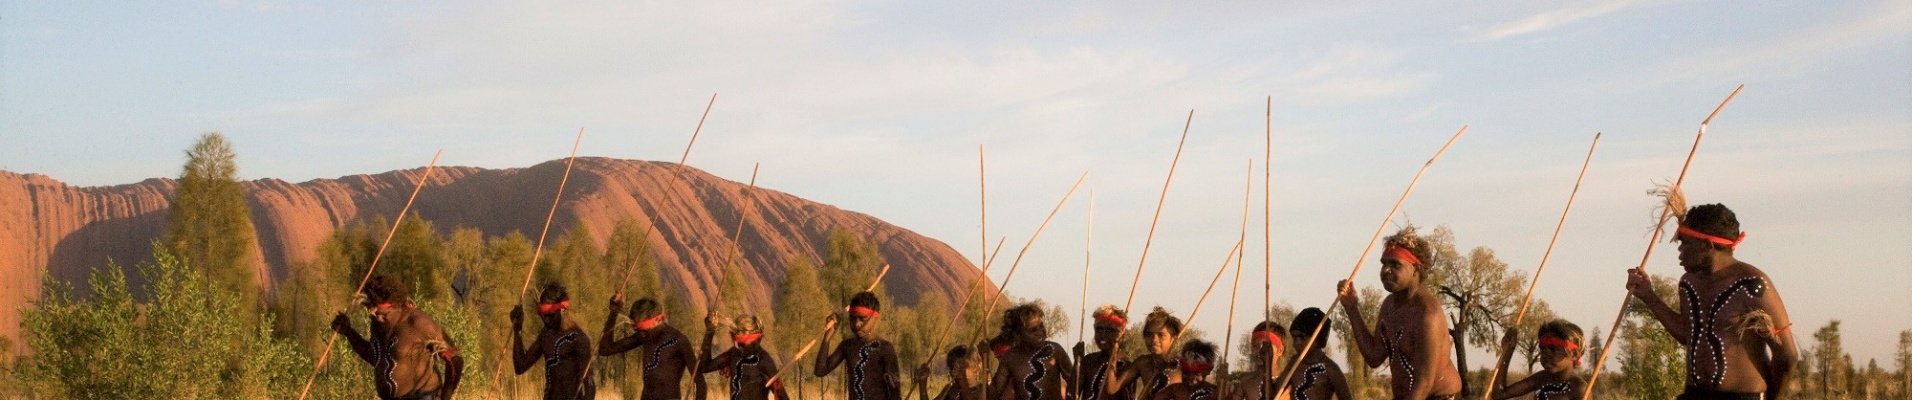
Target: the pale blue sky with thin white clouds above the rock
(882, 108)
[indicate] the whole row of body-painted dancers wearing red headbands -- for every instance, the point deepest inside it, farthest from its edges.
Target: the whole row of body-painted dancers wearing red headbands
(1729, 321)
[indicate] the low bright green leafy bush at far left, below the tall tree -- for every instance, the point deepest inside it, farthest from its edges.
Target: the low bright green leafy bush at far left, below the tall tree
(190, 340)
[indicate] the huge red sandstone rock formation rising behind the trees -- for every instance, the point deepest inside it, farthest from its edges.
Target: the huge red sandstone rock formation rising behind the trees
(49, 227)
